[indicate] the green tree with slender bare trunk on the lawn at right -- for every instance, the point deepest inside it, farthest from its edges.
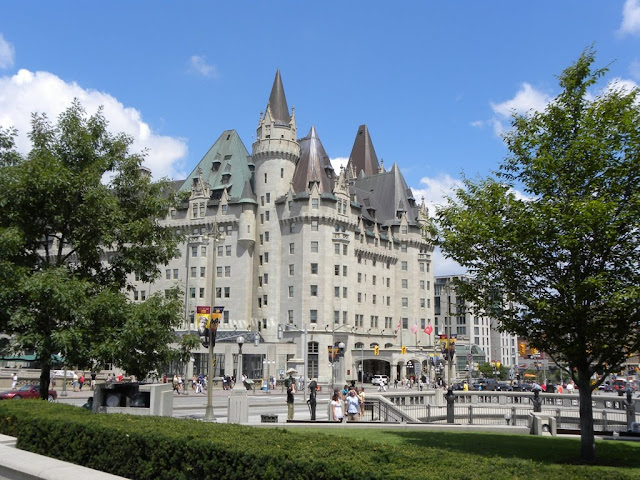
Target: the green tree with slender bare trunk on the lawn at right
(566, 258)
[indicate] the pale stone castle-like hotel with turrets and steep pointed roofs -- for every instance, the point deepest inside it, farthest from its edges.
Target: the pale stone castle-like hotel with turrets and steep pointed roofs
(305, 258)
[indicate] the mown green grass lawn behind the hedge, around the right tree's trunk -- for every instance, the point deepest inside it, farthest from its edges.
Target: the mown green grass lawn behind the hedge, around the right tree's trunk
(485, 455)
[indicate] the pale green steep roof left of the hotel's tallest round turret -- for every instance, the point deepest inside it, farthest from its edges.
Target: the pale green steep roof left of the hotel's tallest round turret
(226, 158)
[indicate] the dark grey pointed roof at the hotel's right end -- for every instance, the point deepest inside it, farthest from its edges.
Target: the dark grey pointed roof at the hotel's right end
(386, 194)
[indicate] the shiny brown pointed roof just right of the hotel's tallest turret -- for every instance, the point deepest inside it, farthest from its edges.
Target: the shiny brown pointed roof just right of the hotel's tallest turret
(314, 165)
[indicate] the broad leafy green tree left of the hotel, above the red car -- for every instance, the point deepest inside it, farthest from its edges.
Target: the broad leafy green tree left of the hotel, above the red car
(79, 218)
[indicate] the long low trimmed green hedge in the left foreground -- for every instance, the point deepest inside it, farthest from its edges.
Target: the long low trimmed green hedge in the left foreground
(141, 447)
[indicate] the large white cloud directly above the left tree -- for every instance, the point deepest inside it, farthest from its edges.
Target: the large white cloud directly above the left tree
(42, 92)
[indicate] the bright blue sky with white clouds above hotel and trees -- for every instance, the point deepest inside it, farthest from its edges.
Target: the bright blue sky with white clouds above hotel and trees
(434, 81)
